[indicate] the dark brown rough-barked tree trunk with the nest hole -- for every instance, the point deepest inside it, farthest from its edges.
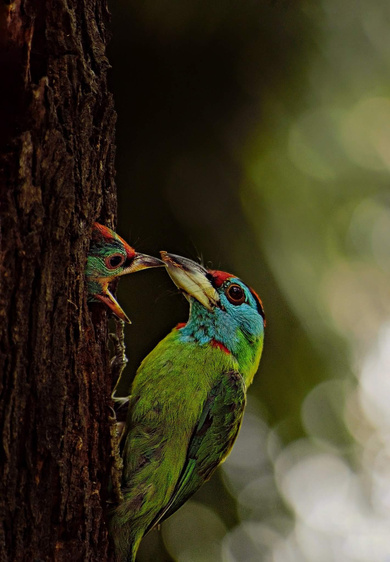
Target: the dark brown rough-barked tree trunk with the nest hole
(57, 167)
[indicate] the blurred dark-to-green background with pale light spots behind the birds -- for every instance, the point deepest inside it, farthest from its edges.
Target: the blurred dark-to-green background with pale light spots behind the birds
(256, 135)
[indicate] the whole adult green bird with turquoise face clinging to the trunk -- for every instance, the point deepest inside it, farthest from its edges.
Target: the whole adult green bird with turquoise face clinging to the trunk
(187, 400)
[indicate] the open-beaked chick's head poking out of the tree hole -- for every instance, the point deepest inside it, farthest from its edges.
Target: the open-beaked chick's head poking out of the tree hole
(110, 257)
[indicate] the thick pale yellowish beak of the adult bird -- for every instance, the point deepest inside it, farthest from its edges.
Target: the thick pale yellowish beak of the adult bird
(191, 278)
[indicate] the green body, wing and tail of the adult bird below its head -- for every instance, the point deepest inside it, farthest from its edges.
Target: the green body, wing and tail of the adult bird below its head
(182, 423)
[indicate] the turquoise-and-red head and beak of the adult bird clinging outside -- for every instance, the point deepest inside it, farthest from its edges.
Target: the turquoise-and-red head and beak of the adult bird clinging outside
(224, 311)
